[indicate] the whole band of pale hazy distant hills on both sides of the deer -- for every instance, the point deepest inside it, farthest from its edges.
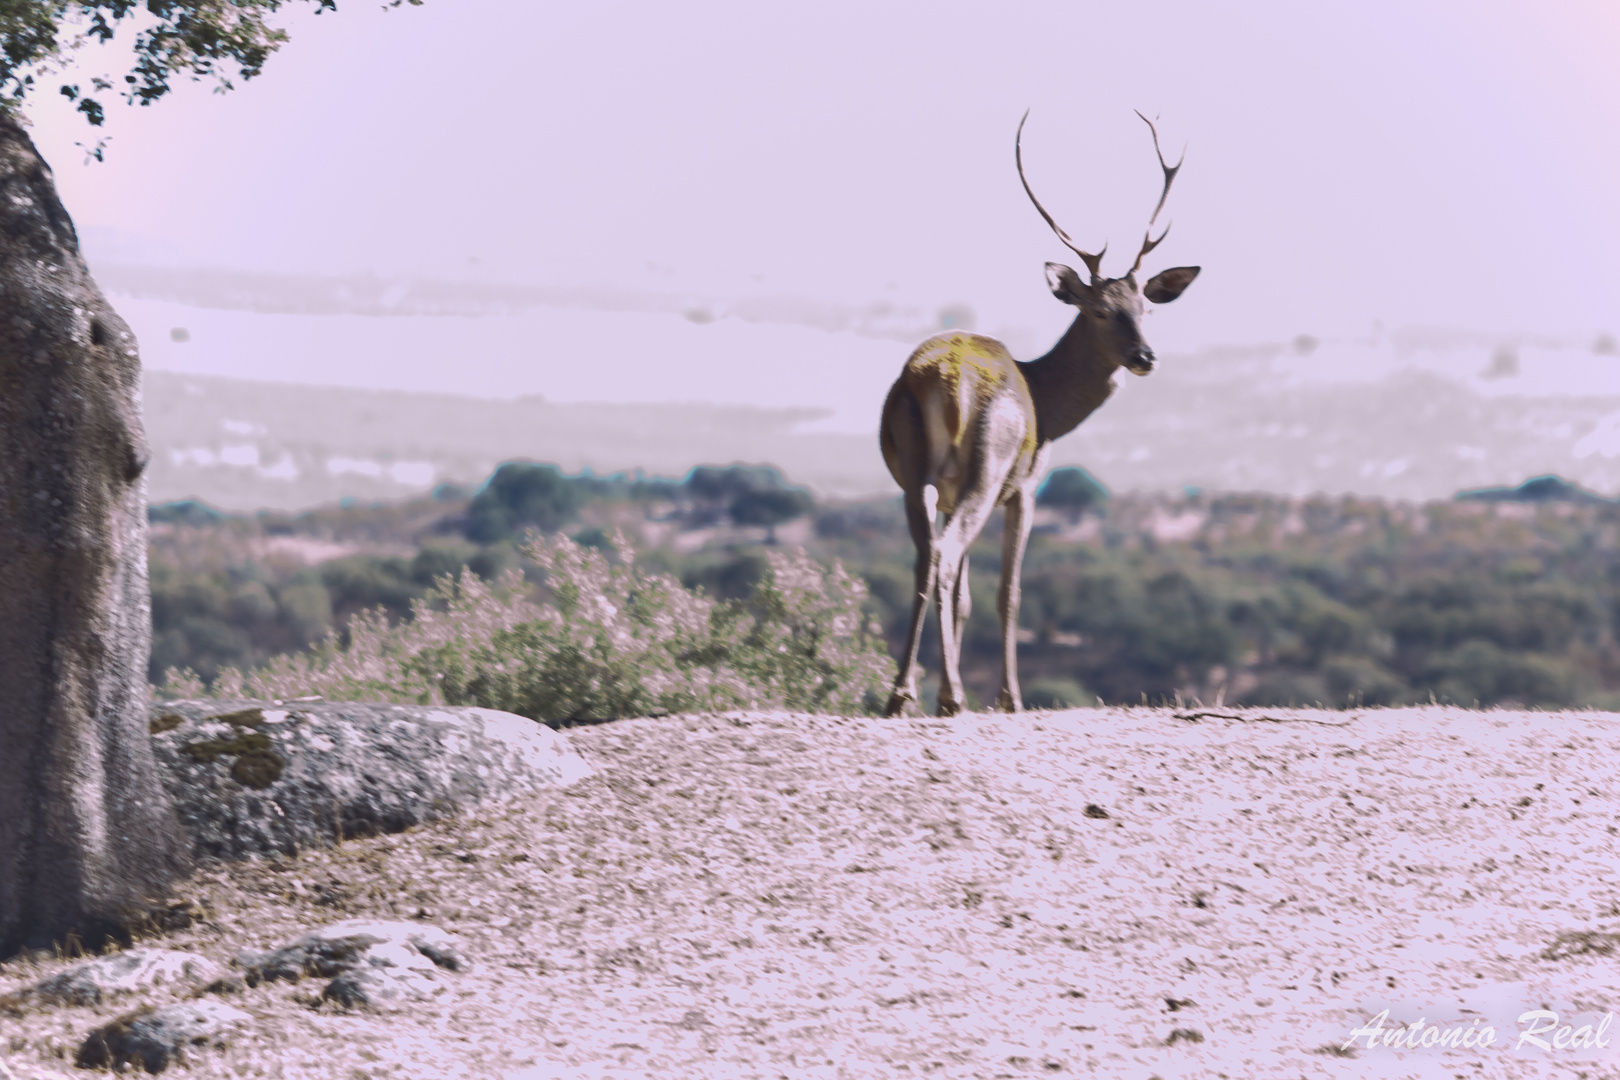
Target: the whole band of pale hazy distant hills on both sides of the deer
(1224, 420)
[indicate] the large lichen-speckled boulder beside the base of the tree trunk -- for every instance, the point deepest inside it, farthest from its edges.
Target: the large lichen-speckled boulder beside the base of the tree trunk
(252, 778)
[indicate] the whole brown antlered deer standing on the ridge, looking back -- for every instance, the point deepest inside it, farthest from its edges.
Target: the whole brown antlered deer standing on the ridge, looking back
(966, 428)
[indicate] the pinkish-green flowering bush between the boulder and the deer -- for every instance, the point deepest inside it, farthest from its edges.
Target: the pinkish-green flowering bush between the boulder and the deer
(613, 642)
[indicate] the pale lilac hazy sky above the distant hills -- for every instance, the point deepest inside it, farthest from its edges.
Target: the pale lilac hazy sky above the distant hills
(1443, 164)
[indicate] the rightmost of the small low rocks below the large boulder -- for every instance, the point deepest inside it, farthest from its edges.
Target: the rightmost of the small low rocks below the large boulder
(370, 964)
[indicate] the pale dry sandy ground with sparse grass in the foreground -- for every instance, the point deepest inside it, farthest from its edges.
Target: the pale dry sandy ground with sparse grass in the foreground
(790, 896)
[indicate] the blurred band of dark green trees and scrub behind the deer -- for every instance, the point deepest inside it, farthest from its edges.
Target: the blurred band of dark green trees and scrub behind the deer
(1248, 600)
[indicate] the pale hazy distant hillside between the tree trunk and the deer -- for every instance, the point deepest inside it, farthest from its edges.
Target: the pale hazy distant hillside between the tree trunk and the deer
(245, 446)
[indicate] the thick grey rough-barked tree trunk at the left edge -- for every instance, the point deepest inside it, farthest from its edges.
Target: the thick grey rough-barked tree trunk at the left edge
(88, 838)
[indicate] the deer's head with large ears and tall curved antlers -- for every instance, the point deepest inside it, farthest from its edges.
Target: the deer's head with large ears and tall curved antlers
(1112, 307)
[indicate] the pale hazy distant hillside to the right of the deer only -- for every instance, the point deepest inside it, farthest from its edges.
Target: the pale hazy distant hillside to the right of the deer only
(1234, 422)
